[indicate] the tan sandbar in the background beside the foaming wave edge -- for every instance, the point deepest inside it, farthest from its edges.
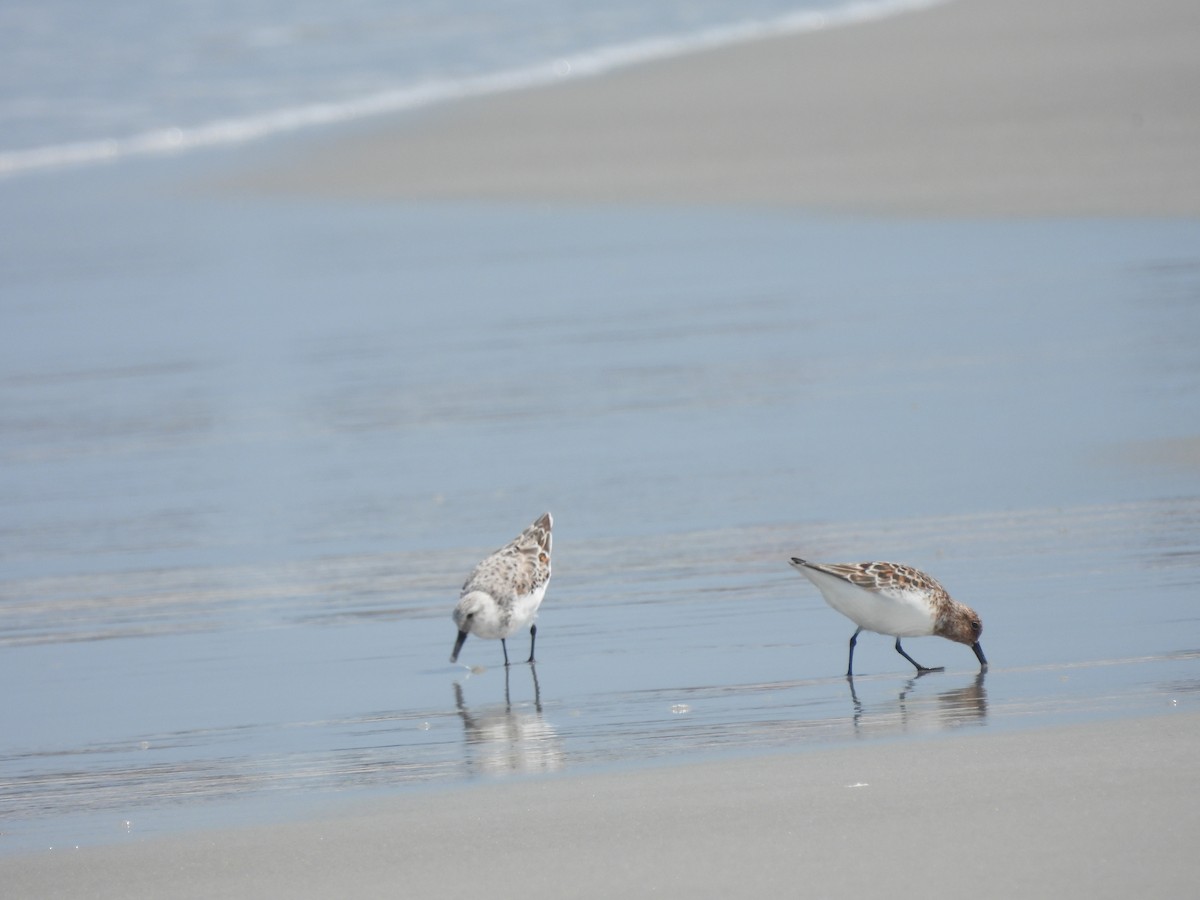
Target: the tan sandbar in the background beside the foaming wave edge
(975, 109)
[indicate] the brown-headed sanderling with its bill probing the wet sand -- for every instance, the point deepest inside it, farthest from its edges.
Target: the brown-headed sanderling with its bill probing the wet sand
(892, 599)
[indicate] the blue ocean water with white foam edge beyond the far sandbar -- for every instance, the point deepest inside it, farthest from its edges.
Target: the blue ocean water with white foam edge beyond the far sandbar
(88, 85)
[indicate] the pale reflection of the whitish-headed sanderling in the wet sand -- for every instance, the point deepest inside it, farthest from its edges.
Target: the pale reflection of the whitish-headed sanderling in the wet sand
(507, 740)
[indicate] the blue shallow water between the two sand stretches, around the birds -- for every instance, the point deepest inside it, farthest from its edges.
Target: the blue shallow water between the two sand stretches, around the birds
(251, 447)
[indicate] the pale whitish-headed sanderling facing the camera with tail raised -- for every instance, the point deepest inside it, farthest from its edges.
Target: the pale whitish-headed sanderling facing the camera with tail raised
(503, 593)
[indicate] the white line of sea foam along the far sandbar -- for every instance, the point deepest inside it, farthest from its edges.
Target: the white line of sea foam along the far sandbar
(599, 62)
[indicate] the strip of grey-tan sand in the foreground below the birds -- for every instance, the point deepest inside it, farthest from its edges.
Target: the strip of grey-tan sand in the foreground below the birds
(1075, 811)
